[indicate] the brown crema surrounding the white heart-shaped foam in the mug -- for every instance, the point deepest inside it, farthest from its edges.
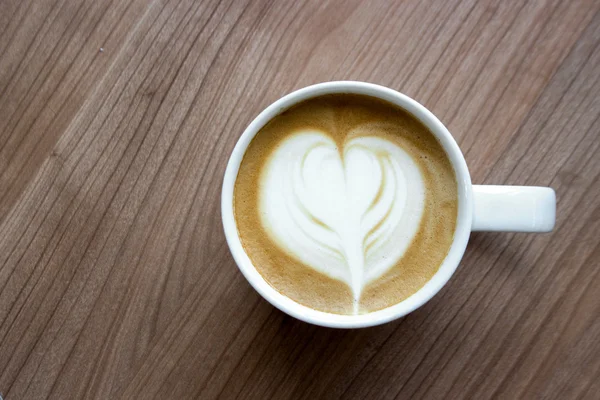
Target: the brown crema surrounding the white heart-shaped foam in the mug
(337, 115)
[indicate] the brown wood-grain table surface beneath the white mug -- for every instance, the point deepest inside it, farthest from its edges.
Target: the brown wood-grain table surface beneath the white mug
(116, 122)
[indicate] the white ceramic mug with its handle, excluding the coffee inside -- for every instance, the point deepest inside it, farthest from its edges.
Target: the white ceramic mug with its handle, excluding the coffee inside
(480, 208)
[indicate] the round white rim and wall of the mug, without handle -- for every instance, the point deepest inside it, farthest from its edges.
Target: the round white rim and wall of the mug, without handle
(414, 301)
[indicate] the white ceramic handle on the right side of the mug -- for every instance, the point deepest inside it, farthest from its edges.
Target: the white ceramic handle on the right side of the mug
(513, 208)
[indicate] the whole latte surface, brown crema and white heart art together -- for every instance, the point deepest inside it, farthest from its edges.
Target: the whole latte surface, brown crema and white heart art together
(346, 203)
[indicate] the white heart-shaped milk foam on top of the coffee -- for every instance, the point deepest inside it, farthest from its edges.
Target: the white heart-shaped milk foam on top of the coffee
(348, 214)
